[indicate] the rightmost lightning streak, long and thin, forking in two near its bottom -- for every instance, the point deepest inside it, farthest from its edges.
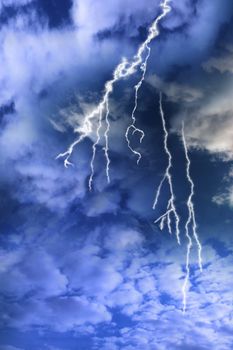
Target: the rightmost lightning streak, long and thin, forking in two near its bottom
(190, 221)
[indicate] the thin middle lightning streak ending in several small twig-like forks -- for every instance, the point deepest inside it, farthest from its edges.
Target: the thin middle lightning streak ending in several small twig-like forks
(171, 208)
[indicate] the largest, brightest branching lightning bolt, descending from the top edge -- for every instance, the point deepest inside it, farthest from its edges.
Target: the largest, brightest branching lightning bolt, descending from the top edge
(123, 70)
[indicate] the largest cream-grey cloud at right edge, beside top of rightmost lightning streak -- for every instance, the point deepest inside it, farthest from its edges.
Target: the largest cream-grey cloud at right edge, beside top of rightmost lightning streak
(207, 123)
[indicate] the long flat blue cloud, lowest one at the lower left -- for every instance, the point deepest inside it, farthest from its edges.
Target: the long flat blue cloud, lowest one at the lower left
(59, 314)
